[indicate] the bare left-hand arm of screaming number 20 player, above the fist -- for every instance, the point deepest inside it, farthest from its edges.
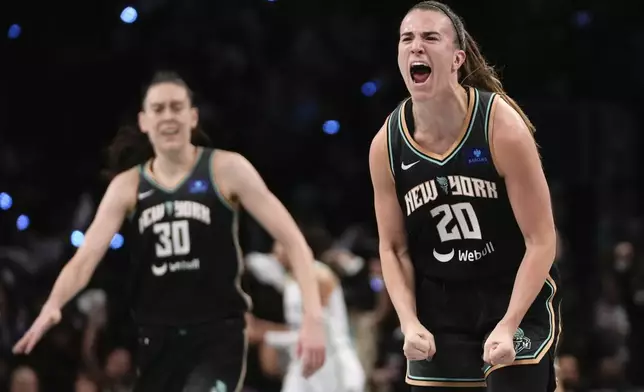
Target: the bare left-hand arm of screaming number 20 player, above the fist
(397, 269)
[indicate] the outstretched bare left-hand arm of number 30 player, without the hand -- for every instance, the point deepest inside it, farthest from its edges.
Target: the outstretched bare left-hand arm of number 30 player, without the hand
(119, 198)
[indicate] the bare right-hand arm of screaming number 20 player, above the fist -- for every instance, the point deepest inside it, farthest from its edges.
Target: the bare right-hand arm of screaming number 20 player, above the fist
(517, 160)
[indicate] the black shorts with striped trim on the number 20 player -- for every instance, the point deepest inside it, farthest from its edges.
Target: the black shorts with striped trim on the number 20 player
(462, 315)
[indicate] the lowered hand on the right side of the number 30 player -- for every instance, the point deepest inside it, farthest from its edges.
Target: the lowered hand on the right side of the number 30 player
(312, 345)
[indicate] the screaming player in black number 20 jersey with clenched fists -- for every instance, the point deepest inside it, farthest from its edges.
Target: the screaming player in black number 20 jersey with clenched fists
(467, 238)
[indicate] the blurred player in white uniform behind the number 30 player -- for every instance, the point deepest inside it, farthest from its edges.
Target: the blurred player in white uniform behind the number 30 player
(342, 371)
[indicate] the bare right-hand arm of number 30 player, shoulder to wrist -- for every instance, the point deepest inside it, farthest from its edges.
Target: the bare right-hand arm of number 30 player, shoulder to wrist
(240, 181)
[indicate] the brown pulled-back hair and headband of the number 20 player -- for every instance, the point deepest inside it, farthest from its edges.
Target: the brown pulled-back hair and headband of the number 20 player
(475, 72)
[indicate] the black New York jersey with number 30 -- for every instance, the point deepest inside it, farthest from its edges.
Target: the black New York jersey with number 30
(186, 251)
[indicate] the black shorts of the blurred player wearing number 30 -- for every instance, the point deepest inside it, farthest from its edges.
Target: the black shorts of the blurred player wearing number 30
(202, 358)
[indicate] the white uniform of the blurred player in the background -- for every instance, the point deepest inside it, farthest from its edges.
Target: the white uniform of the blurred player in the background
(342, 371)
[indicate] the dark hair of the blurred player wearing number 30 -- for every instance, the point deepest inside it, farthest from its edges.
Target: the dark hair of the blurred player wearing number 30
(131, 147)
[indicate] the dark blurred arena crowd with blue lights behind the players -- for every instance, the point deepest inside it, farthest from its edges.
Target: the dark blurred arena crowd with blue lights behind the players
(300, 88)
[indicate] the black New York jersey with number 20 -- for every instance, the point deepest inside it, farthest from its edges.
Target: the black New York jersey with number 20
(458, 219)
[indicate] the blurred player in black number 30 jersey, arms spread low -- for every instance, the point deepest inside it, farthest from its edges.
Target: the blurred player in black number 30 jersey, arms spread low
(183, 204)
